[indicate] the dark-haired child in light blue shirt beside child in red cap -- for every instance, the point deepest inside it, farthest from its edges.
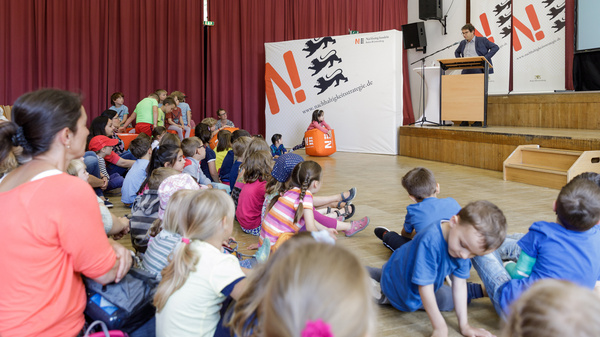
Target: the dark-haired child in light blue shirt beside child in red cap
(141, 148)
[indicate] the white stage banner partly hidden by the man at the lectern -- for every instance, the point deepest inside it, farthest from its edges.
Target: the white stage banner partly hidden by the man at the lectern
(492, 20)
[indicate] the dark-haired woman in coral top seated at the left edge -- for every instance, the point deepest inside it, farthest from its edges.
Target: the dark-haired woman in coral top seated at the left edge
(52, 231)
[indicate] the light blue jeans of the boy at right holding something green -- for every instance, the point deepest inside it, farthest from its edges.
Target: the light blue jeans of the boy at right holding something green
(493, 275)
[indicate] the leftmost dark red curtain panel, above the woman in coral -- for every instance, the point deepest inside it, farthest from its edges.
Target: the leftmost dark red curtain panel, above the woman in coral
(58, 44)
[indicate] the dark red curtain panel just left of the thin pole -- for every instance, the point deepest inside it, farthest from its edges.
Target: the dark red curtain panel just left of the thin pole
(156, 44)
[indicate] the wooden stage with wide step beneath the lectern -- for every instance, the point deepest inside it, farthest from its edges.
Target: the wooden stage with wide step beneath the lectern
(569, 121)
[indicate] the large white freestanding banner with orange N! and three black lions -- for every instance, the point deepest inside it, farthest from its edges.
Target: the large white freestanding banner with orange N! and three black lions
(355, 79)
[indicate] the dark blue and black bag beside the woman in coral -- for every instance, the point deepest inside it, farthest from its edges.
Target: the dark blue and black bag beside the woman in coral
(126, 305)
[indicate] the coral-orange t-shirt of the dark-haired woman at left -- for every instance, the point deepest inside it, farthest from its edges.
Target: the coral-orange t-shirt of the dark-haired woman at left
(51, 232)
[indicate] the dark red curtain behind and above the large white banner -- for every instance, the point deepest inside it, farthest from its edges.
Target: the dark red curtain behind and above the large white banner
(236, 45)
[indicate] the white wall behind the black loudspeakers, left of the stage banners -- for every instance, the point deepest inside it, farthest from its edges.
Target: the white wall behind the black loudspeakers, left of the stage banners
(435, 41)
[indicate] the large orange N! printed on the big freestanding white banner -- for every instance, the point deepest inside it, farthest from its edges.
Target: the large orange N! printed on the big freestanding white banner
(272, 76)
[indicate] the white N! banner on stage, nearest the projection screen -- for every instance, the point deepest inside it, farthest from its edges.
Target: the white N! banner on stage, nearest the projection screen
(539, 46)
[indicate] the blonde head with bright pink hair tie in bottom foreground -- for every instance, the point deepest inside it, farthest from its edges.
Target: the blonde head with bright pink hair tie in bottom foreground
(319, 290)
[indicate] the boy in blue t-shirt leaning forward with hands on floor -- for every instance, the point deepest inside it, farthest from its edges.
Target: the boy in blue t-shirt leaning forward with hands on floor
(413, 277)
